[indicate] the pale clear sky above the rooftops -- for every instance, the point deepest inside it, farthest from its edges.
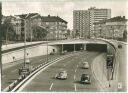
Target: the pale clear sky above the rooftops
(62, 8)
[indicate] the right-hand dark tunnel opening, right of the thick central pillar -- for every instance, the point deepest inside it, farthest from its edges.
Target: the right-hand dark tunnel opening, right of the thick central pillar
(96, 47)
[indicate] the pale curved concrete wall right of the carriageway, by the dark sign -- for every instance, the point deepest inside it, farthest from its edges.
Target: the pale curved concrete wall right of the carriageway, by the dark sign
(101, 75)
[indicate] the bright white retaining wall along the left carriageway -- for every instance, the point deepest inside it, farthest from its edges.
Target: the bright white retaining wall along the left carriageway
(32, 52)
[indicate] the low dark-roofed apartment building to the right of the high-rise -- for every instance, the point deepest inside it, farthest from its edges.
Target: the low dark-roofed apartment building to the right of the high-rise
(113, 28)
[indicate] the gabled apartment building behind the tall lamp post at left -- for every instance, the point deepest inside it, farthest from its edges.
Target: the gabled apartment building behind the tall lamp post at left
(28, 21)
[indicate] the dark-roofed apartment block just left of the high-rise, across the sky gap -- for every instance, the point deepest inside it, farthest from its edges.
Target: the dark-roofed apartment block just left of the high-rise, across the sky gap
(55, 26)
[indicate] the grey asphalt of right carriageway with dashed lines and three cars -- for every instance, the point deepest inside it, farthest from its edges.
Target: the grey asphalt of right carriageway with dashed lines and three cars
(45, 80)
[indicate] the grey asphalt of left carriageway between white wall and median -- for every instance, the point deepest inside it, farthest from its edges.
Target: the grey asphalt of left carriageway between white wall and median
(10, 70)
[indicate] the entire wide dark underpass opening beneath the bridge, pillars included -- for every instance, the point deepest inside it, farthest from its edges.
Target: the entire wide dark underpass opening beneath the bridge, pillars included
(78, 47)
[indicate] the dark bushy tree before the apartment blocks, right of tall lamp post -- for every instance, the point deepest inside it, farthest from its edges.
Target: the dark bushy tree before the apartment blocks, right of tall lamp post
(39, 33)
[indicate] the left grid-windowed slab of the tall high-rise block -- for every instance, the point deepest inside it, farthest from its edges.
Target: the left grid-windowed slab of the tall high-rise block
(81, 23)
